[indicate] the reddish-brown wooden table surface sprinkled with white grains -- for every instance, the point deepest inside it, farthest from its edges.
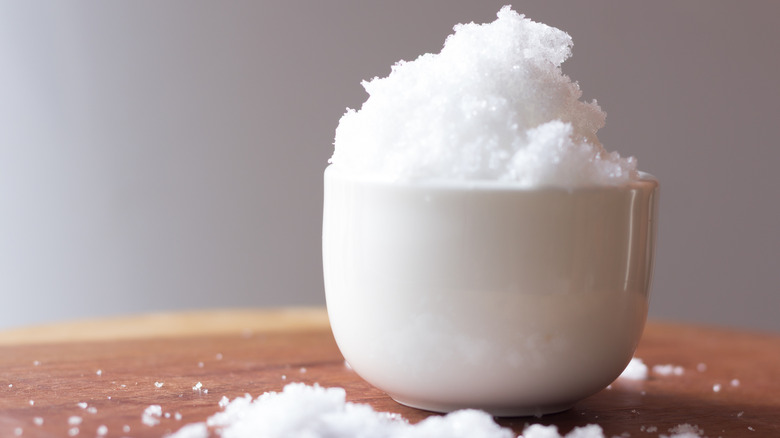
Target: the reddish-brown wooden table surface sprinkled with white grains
(112, 365)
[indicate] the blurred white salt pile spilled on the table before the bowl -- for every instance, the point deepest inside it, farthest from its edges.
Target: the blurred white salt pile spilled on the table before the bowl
(316, 412)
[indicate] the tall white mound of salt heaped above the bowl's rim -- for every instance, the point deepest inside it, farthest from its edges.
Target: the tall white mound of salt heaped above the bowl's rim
(493, 105)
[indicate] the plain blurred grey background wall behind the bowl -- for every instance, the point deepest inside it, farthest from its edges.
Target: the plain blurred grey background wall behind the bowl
(168, 155)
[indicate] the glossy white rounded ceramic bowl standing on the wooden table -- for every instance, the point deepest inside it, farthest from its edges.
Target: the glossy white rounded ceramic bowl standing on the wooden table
(480, 295)
